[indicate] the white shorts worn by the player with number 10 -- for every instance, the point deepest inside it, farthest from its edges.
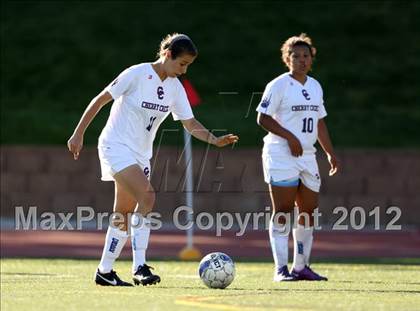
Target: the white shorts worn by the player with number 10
(286, 170)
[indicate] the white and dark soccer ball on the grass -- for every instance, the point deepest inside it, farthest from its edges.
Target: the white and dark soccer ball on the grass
(217, 270)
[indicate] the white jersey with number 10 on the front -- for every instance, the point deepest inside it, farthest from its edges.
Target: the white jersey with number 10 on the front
(295, 107)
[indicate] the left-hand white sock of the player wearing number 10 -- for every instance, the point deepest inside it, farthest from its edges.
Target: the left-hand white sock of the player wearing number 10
(279, 237)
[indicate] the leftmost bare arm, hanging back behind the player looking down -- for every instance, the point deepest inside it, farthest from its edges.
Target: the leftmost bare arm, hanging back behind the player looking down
(75, 143)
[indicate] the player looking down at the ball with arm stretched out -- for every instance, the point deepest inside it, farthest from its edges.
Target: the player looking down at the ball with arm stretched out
(144, 95)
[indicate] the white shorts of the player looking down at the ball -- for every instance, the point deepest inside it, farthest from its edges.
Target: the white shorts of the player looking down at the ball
(116, 157)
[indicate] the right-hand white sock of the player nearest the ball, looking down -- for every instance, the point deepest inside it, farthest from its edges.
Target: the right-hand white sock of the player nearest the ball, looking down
(140, 232)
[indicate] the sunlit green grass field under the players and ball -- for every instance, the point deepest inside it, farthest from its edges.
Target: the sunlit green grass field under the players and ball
(56, 284)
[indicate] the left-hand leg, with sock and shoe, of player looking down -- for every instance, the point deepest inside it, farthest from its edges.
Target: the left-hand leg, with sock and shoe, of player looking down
(115, 239)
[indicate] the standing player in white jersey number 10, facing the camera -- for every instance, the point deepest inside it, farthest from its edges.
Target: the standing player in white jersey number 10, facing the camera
(292, 111)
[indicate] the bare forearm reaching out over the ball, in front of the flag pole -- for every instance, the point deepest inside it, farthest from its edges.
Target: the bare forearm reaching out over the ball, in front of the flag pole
(195, 128)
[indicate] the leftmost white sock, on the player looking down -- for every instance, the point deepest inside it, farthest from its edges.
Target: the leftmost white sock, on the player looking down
(114, 243)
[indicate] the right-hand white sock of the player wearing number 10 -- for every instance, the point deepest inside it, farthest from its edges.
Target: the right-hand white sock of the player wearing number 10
(302, 242)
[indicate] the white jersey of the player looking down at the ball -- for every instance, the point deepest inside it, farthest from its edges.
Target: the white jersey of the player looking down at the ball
(141, 103)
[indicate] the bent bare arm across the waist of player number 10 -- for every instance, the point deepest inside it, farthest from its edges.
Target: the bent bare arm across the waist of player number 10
(271, 125)
